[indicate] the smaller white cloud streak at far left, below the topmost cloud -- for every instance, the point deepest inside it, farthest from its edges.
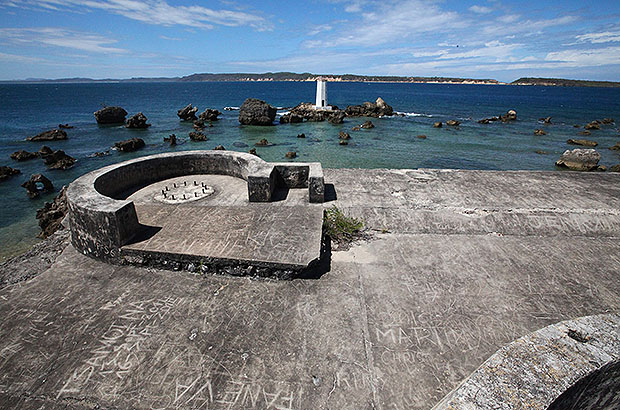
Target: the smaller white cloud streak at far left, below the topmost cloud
(59, 37)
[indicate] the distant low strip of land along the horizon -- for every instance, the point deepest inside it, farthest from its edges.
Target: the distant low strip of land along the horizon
(289, 76)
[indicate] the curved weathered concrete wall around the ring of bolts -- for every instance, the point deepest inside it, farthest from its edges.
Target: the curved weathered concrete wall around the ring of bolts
(101, 220)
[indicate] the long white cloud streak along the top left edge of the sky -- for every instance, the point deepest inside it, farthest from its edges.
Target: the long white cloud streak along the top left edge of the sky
(157, 12)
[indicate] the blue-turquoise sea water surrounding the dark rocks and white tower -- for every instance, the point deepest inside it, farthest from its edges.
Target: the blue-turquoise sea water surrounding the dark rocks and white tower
(27, 109)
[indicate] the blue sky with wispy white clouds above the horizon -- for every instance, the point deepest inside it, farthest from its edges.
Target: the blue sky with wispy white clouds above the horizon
(478, 39)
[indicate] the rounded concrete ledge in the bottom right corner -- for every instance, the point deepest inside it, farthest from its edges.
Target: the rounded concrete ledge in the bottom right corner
(571, 364)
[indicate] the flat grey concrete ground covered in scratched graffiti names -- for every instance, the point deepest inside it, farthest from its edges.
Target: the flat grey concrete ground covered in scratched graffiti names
(471, 262)
